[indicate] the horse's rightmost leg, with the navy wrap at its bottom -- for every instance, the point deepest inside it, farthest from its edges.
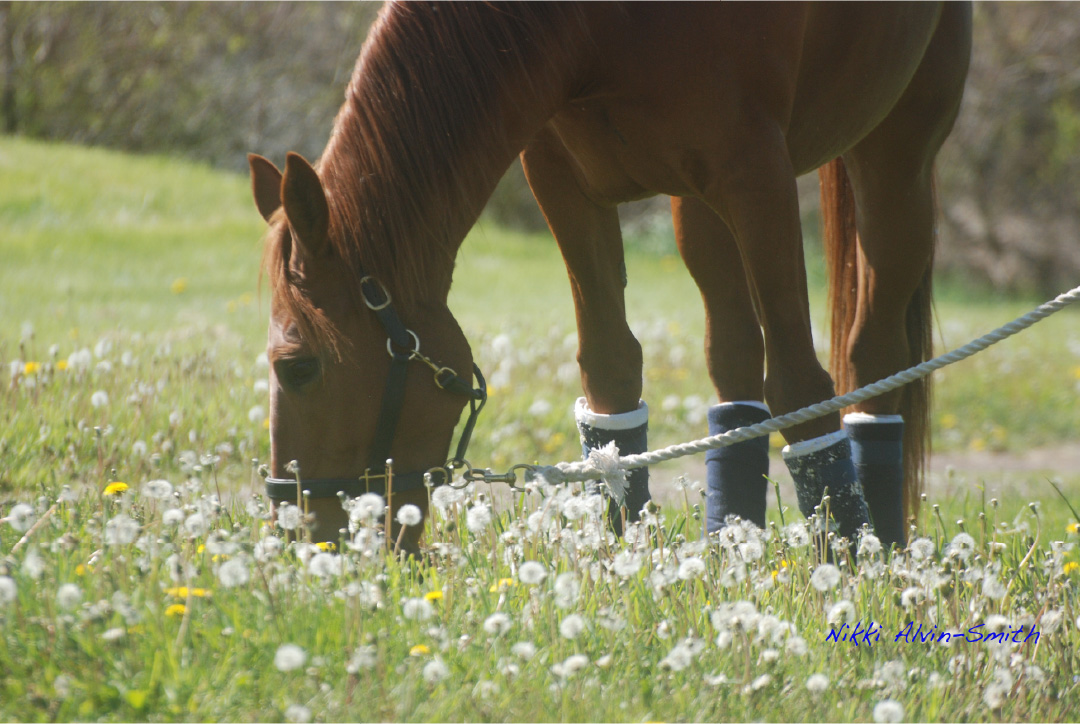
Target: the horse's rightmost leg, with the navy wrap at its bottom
(889, 327)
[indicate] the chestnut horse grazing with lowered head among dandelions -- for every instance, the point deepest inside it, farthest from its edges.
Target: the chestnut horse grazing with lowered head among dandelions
(720, 106)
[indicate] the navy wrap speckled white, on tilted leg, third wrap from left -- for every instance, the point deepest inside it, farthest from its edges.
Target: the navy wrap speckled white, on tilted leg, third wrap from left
(827, 463)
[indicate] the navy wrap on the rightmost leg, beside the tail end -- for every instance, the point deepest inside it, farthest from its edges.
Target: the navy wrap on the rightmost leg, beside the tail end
(877, 450)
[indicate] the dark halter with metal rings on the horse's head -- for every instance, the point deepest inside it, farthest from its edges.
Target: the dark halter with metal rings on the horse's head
(403, 346)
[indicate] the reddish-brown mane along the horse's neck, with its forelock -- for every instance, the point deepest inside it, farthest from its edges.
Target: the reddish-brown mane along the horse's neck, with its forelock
(413, 145)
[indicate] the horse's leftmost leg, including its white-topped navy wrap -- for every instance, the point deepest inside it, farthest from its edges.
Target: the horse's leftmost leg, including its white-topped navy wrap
(610, 357)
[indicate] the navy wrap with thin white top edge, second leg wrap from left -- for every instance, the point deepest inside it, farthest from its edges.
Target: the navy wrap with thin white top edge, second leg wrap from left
(736, 475)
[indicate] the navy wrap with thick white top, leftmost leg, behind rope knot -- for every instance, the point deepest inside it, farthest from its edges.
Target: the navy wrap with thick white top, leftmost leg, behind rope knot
(631, 435)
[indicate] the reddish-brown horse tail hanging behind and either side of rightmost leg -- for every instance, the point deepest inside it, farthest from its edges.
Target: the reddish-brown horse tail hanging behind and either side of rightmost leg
(842, 256)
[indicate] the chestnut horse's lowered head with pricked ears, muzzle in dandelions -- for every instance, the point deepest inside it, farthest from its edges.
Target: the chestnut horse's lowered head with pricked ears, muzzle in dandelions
(352, 383)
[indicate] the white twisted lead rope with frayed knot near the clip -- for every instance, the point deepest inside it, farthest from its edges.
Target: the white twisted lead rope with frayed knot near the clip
(609, 466)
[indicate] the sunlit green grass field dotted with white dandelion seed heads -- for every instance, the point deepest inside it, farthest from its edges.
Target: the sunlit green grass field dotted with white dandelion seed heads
(131, 332)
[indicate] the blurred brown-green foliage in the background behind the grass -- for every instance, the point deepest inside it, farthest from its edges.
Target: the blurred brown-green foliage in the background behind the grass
(212, 82)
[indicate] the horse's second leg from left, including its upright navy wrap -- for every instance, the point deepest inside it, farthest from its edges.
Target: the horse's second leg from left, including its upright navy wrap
(735, 354)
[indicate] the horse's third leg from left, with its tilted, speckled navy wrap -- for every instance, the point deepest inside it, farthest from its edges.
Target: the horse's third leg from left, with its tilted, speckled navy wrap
(758, 198)
